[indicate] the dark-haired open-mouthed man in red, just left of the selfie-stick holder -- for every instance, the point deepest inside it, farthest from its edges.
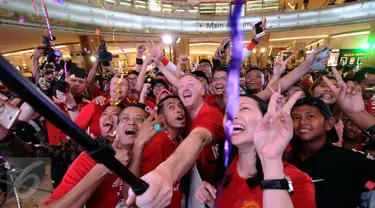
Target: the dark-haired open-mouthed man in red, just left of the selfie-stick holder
(149, 155)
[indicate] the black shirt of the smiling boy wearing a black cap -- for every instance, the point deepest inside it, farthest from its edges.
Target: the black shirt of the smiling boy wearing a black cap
(339, 175)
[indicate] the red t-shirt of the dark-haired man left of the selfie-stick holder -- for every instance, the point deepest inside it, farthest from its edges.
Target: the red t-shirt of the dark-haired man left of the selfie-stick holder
(156, 152)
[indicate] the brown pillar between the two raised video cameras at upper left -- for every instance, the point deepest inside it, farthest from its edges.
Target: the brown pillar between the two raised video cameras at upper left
(91, 43)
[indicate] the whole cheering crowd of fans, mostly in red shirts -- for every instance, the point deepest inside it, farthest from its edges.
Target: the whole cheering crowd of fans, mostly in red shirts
(314, 131)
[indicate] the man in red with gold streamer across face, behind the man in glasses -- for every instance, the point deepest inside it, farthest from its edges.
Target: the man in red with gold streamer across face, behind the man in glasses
(90, 114)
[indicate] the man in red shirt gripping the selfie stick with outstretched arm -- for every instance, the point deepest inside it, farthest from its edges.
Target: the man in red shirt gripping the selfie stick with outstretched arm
(205, 133)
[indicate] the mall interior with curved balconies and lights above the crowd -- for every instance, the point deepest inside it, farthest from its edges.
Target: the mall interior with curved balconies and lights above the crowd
(191, 27)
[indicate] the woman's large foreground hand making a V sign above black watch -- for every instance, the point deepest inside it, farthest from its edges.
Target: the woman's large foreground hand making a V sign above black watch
(275, 130)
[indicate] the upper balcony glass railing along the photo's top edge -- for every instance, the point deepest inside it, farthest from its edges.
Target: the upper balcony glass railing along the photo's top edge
(219, 7)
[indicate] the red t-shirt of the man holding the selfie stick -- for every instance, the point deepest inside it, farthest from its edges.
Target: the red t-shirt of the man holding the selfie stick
(211, 119)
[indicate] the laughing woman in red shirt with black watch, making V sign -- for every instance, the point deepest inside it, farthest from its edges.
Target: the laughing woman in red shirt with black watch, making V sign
(260, 140)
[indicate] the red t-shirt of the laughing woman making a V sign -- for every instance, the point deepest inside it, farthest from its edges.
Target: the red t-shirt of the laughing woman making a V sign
(238, 194)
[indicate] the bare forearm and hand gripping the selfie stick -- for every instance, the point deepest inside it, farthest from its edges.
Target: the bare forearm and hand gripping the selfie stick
(161, 180)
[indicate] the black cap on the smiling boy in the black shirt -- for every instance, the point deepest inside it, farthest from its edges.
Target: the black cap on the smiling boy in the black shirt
(332, 135)
